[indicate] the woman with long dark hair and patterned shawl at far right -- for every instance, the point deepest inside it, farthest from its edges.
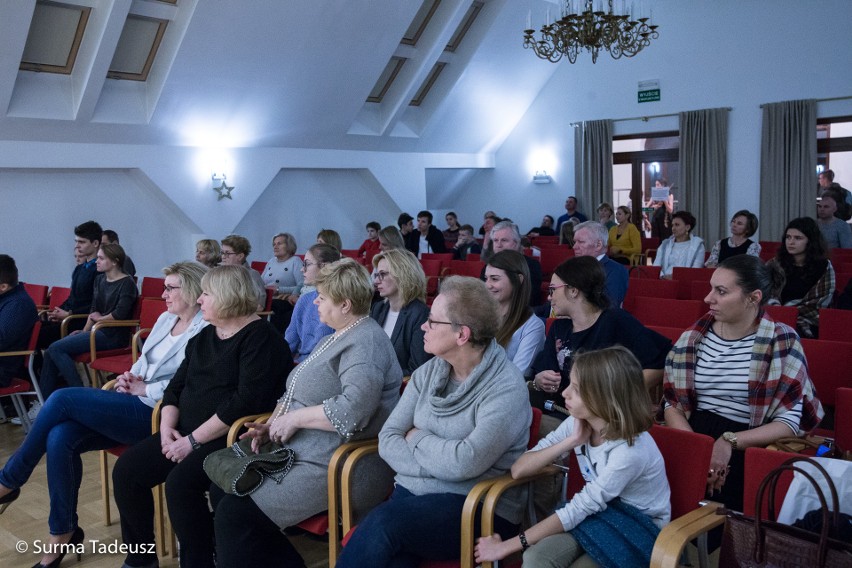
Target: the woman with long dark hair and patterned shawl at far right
(809, 275)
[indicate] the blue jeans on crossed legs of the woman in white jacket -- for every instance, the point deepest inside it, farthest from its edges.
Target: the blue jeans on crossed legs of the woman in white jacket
(73, 421)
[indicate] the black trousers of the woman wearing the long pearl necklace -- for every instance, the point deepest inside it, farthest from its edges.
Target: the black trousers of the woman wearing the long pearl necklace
(245, 536)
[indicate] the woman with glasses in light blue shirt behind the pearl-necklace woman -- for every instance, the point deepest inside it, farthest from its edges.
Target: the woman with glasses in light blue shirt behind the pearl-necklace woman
(306, 329)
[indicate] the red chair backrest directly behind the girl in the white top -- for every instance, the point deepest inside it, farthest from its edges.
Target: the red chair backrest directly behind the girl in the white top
(687, 475)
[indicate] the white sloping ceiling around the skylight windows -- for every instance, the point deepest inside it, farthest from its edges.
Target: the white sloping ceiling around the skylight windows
(280, 73)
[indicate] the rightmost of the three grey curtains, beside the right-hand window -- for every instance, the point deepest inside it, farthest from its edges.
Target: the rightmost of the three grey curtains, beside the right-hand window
(787, 165)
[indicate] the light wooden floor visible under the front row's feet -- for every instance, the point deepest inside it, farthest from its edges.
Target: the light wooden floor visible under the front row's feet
(25, 521)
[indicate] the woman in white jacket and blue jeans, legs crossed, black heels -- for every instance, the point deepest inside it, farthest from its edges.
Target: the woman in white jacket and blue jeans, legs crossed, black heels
(77, 420)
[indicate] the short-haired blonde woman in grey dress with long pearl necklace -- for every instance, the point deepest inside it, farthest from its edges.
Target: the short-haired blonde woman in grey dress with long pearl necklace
(345, 390)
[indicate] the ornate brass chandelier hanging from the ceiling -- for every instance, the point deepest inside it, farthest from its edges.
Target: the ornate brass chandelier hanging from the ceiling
(591, 30)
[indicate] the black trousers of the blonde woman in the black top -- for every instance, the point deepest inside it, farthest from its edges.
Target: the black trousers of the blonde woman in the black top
(143, 467)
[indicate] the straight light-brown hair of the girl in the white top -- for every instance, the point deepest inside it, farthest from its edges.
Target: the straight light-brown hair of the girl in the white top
(612, 387)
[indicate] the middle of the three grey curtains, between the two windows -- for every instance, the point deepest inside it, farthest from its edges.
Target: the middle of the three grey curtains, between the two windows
(703, 171)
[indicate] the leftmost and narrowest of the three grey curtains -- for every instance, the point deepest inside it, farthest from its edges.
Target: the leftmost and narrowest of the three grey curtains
(593, 165)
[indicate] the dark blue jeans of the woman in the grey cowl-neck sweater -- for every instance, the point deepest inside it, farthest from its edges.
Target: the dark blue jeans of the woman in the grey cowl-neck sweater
(407, 528)
